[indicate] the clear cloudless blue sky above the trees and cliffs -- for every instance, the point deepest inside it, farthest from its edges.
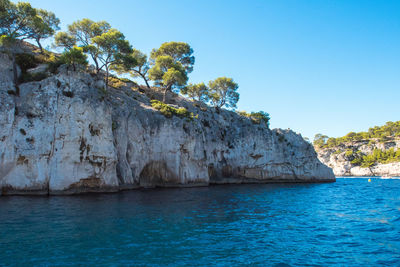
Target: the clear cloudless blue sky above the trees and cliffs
(321, 66)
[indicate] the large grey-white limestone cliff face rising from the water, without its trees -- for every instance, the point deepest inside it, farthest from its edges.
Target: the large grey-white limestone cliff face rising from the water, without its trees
(66, 134)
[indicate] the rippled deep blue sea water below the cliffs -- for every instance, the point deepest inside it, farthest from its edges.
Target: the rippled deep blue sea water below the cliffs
(352, 222)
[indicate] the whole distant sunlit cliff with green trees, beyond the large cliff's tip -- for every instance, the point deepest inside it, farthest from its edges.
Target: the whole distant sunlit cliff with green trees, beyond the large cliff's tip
(372, 153)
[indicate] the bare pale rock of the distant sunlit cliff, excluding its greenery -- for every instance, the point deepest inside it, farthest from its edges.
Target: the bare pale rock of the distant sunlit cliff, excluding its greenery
(342, 165)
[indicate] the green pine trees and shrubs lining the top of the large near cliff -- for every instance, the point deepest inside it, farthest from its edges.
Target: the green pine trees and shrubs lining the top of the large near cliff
(168, 66)
